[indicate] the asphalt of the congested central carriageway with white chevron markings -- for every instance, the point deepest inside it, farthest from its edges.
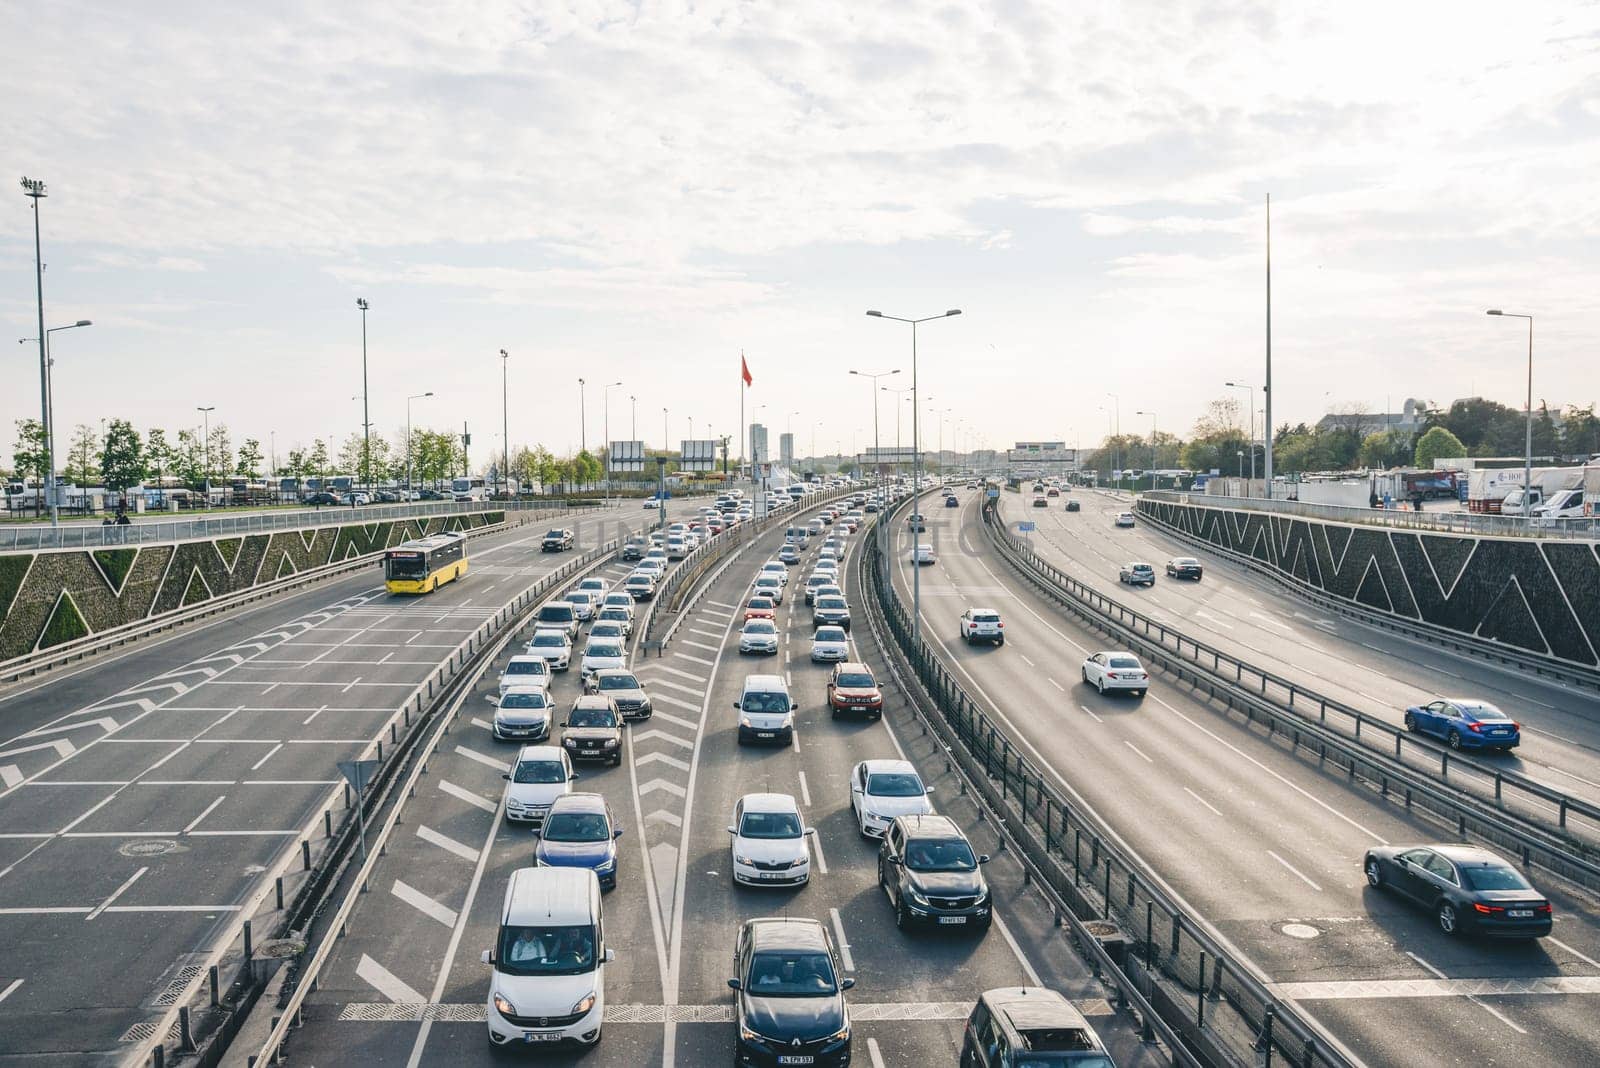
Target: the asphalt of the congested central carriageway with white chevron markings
(406, 986)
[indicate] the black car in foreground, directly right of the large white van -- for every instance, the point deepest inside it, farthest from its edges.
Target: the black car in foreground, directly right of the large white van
(790, 1002)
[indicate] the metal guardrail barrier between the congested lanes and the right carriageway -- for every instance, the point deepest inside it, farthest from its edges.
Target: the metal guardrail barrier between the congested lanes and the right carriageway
(1185, 979)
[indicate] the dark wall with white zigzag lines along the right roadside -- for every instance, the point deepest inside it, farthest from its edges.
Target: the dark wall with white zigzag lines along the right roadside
(1540, 596)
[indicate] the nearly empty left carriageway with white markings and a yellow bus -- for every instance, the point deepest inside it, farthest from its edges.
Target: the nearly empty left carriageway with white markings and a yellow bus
(150, 795)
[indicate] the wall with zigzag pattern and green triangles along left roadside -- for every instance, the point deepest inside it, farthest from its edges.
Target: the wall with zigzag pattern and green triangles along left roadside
(54, 597)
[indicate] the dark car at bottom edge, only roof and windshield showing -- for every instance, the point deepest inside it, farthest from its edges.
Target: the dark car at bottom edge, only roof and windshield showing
(1017, 1027)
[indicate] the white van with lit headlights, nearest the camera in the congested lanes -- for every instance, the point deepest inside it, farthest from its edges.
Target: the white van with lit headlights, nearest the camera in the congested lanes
(548, 987)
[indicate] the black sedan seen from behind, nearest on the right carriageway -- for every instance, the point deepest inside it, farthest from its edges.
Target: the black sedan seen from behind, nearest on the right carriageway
(1466, 890)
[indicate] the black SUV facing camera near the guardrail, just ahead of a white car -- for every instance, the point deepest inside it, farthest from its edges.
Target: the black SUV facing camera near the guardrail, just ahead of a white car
(932, 877)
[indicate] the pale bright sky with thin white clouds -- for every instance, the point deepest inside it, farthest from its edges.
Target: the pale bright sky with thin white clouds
(639, 193)
